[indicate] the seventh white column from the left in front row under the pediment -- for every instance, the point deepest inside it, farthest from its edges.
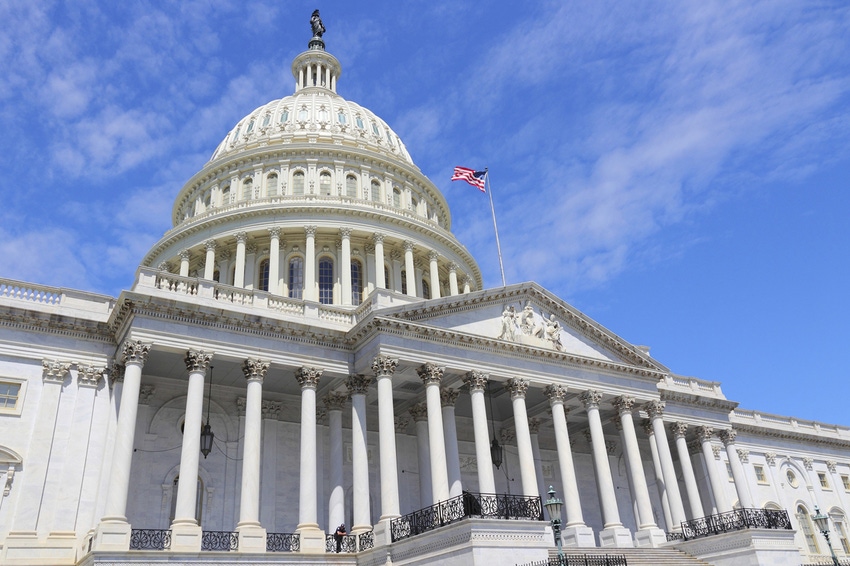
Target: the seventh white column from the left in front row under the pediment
(648, 532)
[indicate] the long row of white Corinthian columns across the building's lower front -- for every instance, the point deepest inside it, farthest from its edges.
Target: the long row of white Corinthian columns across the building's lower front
(440, 475)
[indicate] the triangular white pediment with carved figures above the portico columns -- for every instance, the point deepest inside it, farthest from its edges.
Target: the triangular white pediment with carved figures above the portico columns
(528, 315)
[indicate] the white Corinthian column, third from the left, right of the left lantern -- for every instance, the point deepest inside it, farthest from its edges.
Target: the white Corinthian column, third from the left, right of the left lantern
(252, 536)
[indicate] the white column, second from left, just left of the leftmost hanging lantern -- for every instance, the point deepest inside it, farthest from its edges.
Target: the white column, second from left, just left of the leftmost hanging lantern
(185, 530)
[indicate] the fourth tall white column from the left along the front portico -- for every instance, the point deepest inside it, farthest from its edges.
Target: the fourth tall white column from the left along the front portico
(312, 538)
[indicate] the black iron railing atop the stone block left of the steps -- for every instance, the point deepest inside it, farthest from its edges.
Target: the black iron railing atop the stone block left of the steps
(466, 505)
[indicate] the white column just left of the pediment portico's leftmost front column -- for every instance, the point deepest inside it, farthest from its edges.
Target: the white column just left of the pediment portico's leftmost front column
(362, 516)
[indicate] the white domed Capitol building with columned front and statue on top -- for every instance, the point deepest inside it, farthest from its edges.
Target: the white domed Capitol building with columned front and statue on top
(310, 346)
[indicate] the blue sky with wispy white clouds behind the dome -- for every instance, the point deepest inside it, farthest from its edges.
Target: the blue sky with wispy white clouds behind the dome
(676, 170)
